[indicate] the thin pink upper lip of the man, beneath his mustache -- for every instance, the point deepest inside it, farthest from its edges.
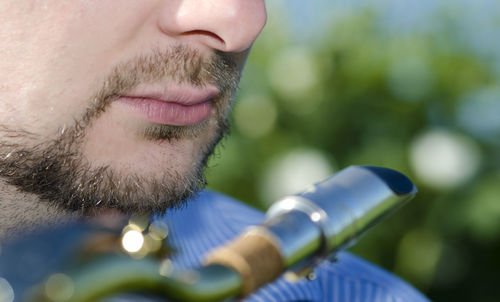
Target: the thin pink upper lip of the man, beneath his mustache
(186, 96)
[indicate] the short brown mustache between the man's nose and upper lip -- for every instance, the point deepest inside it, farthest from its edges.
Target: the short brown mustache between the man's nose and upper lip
(178, 64)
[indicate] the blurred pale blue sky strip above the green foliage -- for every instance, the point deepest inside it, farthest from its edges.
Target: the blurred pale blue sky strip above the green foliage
(309, 17)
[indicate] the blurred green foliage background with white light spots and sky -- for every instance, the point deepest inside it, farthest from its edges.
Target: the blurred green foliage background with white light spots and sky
(410, 85)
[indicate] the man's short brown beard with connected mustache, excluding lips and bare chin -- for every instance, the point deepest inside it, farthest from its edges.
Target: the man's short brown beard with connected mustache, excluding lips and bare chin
(58, 173)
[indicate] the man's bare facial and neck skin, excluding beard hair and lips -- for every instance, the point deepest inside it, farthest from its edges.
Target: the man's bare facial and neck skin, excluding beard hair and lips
(58, 55)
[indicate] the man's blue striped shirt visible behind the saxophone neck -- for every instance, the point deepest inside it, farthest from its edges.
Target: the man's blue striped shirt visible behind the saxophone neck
(212, 219)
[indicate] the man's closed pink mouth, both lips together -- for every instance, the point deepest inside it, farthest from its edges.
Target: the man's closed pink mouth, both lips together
(176, 106)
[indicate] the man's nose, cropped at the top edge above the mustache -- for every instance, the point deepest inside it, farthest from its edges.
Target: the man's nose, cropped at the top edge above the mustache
(225, 25)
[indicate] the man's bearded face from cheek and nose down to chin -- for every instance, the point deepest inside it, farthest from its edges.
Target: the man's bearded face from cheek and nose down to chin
(117, 103)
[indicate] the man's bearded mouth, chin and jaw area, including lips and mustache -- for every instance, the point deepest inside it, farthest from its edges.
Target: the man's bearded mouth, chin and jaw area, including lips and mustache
(140, 145)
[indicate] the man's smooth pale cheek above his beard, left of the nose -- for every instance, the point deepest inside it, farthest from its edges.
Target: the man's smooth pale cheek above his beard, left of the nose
(54, 55)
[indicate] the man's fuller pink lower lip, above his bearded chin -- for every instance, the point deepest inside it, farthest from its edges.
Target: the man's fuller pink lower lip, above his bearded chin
(166, 113)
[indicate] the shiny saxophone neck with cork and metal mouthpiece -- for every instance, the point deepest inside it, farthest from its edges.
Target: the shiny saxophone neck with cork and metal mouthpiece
(299, 232)
